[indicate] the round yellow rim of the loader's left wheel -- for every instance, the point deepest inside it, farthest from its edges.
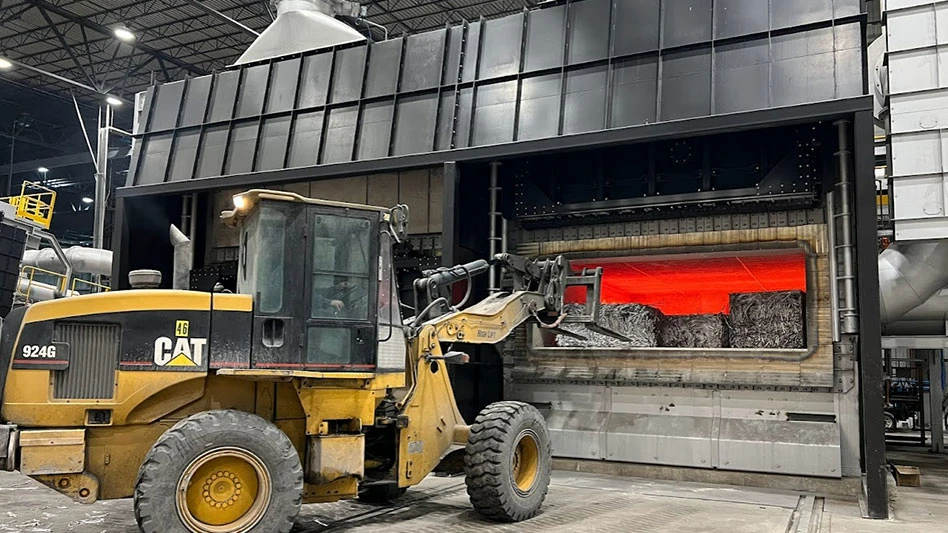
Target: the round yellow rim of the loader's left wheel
(224, 490)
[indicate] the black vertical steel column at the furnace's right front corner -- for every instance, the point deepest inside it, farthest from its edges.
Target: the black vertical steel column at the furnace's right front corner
(870, 342)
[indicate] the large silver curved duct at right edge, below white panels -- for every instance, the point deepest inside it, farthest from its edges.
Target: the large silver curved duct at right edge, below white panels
(909, 275)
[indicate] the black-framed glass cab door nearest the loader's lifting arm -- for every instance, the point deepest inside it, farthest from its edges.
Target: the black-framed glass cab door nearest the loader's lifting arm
(341, 290)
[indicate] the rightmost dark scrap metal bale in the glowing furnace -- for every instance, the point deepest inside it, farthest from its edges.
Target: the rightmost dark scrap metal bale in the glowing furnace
(768, 320)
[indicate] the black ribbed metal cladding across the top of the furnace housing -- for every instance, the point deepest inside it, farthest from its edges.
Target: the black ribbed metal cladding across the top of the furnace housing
(581, 66)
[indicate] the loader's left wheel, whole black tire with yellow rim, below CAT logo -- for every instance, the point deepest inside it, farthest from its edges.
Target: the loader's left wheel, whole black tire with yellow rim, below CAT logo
(220, 471)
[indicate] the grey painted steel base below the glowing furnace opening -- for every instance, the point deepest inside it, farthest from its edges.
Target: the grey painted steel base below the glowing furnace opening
(744, 430)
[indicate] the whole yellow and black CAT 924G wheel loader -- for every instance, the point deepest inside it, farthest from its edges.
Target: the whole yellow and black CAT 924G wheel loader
(224, 412)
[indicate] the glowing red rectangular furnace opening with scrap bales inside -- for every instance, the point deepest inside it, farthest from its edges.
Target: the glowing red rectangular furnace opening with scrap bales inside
(720, 300)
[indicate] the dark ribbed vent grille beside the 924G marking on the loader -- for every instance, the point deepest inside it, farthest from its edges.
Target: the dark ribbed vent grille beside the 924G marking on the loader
(93, 356)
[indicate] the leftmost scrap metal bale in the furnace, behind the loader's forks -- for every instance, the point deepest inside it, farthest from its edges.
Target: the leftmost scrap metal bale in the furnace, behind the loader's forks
(637, 322)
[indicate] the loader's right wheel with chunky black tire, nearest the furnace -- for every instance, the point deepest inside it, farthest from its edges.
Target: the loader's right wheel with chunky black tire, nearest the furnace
(507, 462)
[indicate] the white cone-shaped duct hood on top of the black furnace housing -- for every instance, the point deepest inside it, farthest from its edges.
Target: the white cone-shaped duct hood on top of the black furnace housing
(303, 25)
